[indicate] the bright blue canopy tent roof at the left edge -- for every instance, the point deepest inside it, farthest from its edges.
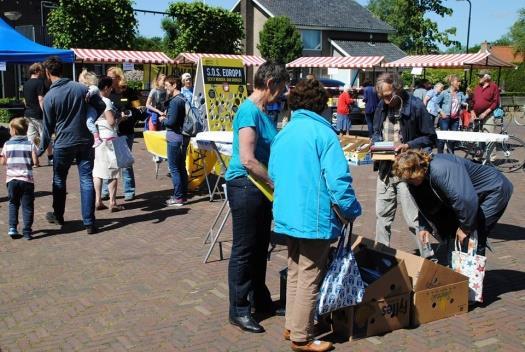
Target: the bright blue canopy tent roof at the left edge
(17, 49)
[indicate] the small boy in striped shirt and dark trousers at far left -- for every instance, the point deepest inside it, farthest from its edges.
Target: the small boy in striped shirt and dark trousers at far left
(19, 155)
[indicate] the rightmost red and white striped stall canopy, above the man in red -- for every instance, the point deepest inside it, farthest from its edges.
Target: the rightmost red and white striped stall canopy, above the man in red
(482, 59)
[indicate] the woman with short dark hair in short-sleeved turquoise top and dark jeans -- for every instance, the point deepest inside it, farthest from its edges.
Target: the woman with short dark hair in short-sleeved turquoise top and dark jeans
(253, 132)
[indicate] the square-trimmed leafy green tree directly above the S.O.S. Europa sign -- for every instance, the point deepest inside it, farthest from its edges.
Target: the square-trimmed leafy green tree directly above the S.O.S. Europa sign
(202, 28)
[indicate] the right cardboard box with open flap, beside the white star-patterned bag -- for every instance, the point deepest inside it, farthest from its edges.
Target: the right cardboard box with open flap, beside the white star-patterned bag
(438, 292)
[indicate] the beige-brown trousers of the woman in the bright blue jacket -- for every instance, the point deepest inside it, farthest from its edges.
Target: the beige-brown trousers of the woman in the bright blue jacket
(306, 264)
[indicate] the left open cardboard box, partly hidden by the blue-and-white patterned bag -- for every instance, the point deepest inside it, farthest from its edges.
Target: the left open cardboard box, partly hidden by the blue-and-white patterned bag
(386, 302)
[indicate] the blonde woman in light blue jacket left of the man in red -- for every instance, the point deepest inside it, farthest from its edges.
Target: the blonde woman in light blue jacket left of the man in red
(449, 105)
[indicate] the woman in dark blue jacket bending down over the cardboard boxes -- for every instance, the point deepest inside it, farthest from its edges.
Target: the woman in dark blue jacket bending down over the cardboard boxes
(455, 195)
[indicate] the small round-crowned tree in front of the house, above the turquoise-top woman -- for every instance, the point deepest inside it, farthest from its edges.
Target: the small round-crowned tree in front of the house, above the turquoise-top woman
(280, 40)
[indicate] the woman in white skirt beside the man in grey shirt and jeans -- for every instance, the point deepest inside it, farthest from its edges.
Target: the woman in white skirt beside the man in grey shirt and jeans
(105, 165)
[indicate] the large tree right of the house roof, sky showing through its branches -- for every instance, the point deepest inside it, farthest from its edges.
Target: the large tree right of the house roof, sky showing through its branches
(415, 34)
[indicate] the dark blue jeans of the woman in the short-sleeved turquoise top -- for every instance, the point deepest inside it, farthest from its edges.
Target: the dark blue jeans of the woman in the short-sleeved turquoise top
(251, 224)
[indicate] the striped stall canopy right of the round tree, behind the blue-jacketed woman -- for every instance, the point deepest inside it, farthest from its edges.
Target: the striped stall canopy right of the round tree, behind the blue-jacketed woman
(337, 62)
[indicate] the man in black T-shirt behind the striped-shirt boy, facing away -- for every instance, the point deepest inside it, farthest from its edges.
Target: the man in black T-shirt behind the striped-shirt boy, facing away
(34, 91)
